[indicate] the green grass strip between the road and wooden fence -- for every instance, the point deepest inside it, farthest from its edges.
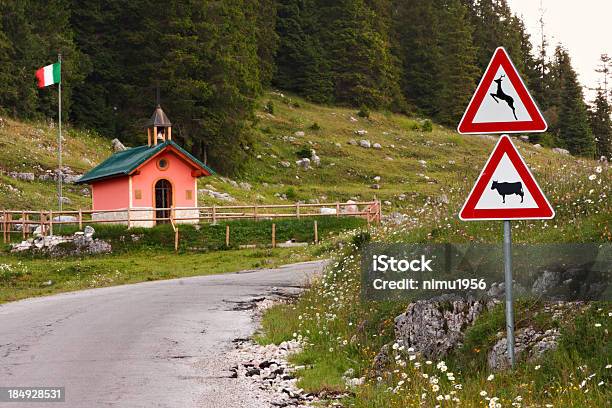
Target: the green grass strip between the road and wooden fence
(22, 277)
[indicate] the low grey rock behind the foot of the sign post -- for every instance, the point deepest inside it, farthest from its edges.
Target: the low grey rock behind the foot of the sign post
(529, 344)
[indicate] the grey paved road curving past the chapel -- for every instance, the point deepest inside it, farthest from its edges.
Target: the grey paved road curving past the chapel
(154, 344)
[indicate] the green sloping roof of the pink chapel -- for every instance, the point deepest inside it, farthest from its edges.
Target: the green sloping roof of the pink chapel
(124, 162)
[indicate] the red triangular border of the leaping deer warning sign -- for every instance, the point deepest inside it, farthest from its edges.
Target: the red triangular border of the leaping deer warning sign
(535, 125)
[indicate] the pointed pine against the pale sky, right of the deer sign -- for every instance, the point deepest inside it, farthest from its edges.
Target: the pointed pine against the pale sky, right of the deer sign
(574, 131)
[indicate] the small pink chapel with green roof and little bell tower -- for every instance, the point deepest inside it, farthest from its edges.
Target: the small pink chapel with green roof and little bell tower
(158, 180)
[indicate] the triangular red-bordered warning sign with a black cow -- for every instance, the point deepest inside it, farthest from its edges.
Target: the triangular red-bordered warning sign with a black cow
(506, 189)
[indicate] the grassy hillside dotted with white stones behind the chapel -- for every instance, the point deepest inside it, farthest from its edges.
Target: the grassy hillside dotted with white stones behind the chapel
(417, 167)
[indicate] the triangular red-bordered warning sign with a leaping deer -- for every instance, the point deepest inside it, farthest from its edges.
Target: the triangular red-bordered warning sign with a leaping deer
(501, 103)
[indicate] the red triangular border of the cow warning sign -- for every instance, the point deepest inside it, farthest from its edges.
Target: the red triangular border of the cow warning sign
(470, 213)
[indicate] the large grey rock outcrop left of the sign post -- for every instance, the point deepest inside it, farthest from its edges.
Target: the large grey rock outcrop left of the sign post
(436, 326)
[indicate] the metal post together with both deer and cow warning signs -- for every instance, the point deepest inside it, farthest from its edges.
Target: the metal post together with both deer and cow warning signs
(505, 189)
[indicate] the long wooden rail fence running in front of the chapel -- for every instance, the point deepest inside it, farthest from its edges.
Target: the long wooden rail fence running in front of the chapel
(26, 222)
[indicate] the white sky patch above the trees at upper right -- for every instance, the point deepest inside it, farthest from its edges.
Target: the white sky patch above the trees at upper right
(584, 27)
